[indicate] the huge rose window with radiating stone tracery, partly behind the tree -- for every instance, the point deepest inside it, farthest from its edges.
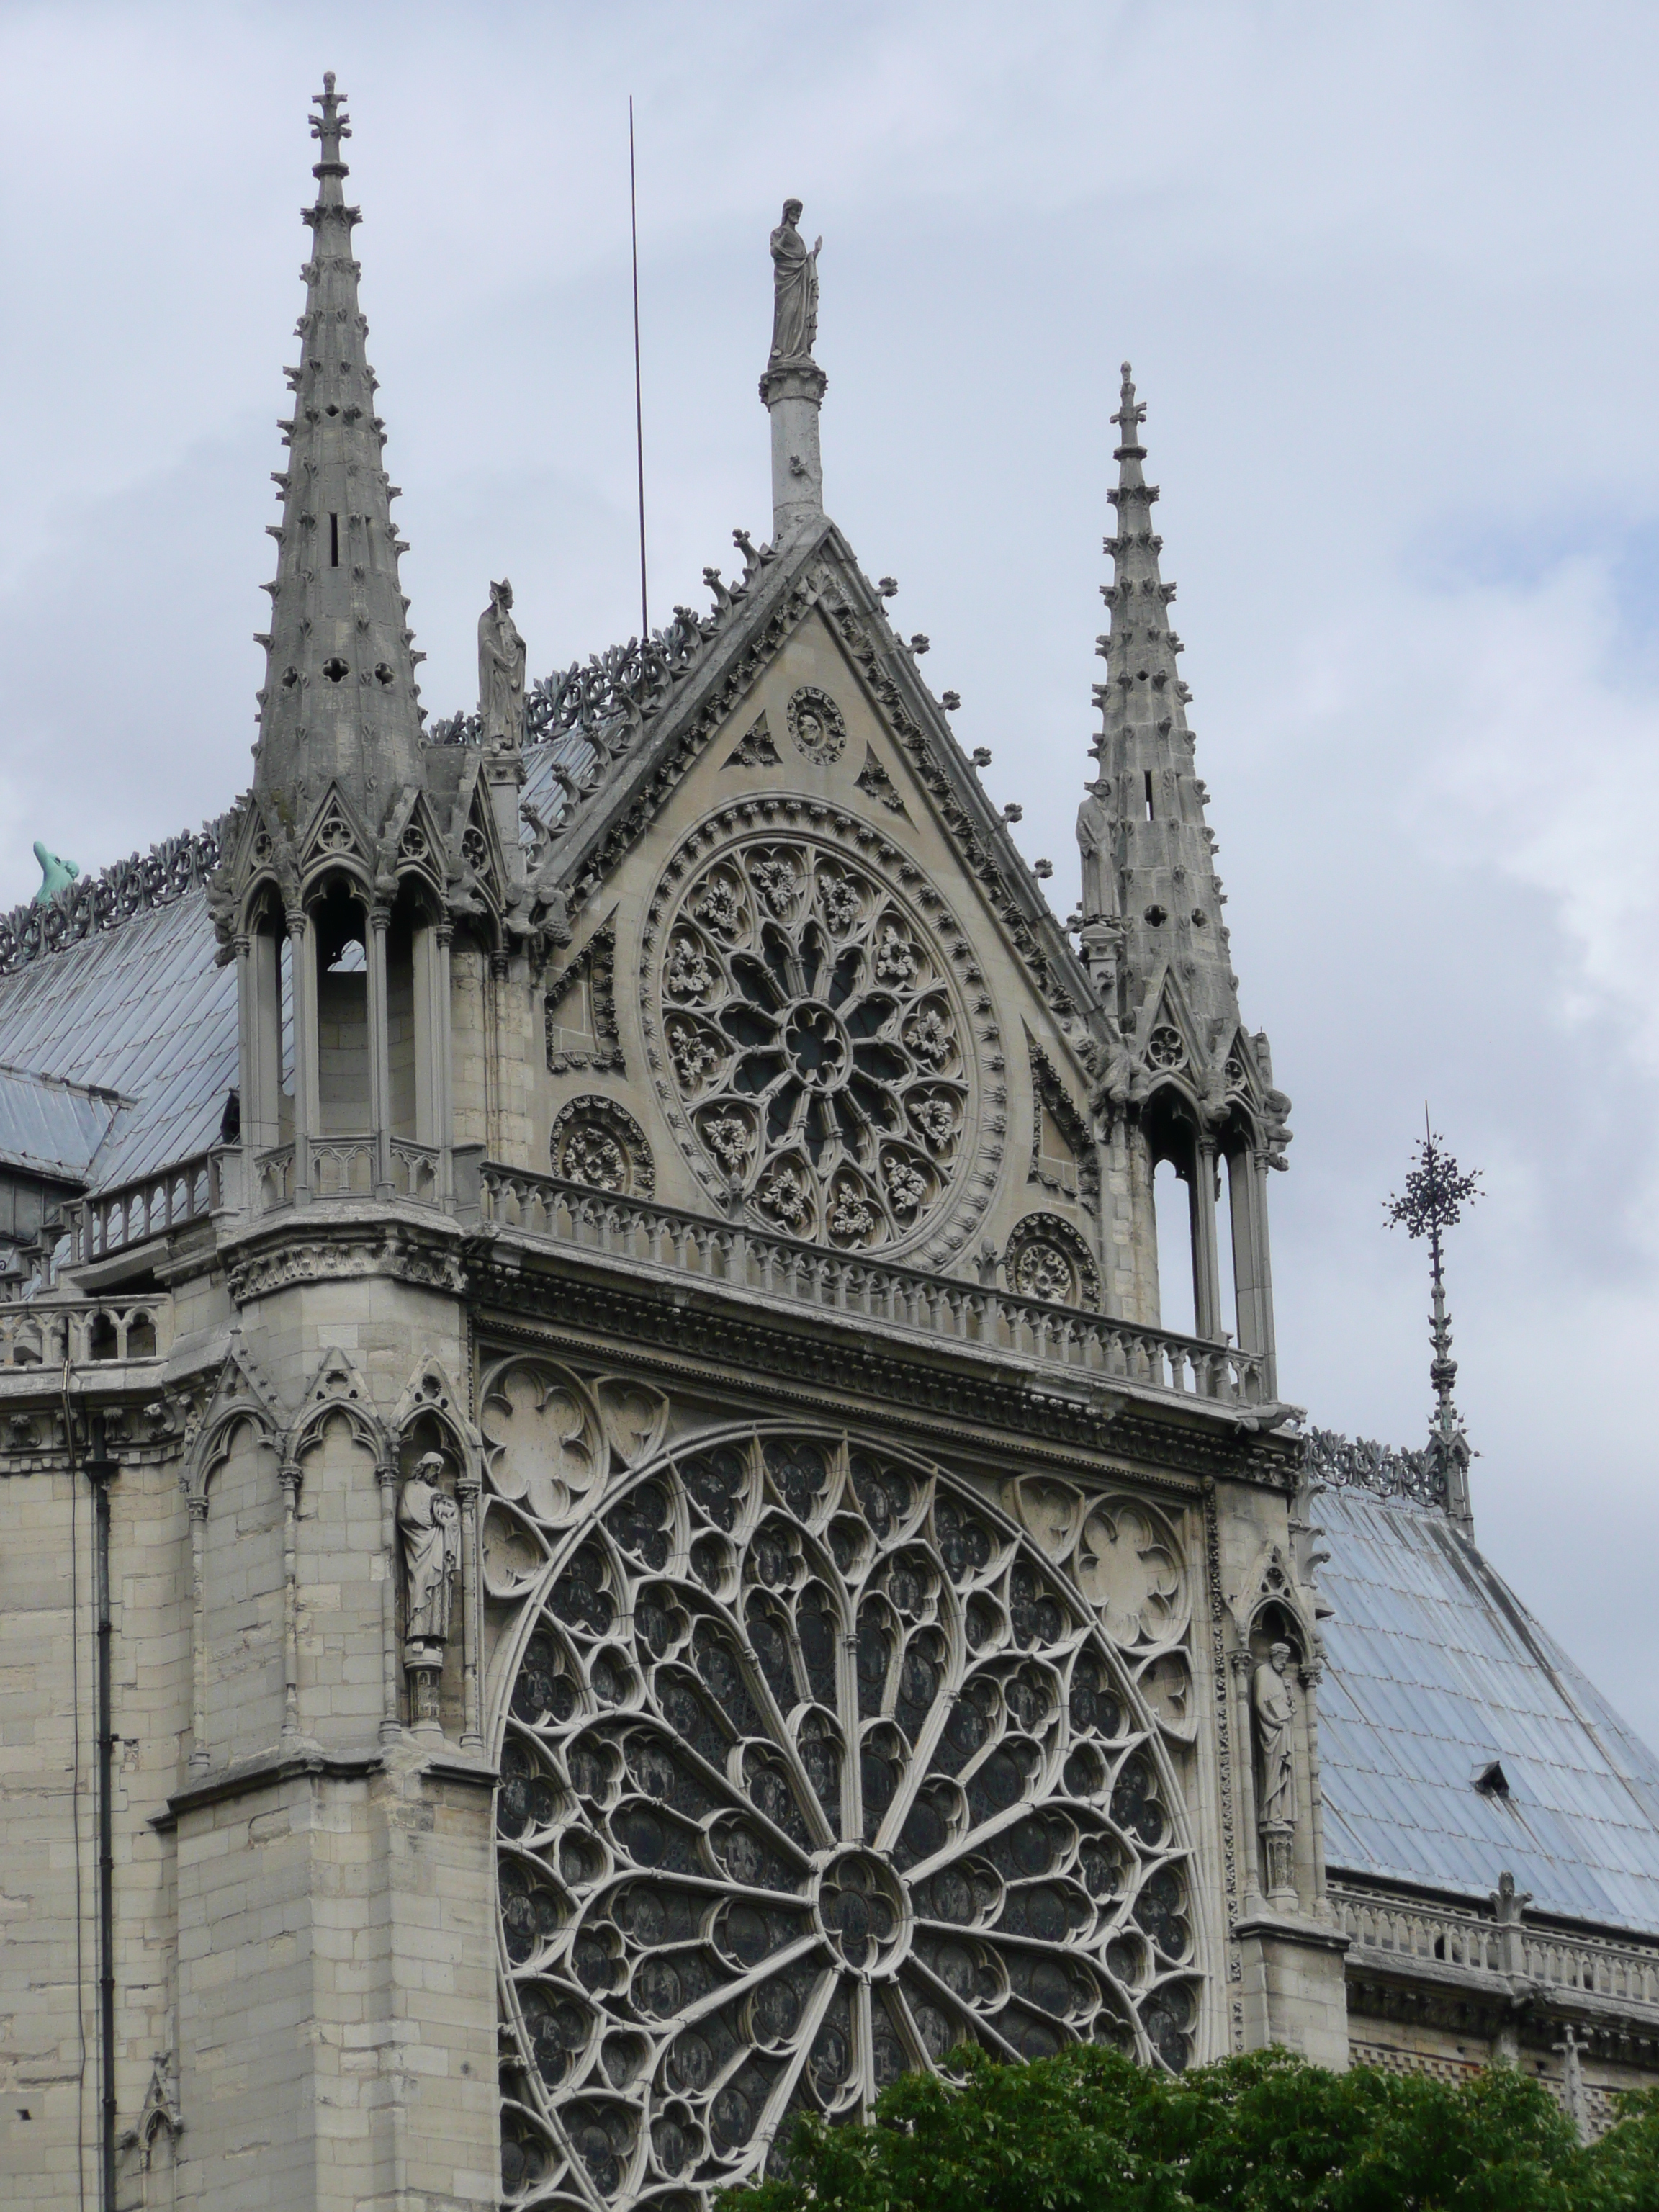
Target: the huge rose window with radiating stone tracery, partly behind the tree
(813, 1771)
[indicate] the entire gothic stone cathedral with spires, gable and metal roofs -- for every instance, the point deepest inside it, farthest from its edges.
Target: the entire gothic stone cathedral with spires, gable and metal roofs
(603, 1538)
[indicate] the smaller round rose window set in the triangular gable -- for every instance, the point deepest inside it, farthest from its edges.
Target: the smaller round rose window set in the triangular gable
(815, 1043)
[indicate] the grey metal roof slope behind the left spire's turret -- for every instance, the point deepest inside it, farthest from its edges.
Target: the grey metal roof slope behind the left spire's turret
(138, 1010)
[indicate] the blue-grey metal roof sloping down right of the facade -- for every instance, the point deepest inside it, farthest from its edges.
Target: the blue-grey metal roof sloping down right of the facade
(1434, 1671)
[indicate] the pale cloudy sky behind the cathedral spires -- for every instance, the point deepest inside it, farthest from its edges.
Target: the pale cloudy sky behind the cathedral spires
(1388, 280)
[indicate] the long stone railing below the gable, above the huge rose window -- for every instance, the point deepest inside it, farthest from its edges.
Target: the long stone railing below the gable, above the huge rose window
(789, 1273)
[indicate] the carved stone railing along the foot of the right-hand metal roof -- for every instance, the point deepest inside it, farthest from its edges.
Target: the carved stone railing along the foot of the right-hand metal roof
(1395, 1930)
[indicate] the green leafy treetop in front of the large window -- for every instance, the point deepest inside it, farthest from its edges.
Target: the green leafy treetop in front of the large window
(1089, 2131)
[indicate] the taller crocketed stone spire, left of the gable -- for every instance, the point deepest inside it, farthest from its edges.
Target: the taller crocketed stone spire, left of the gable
(340, 696)
